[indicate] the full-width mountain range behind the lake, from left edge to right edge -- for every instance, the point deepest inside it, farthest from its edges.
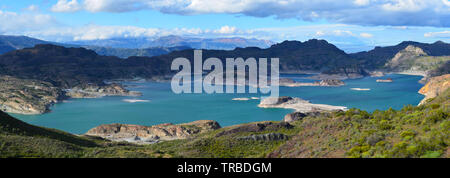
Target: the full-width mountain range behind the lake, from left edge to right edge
(67, 67)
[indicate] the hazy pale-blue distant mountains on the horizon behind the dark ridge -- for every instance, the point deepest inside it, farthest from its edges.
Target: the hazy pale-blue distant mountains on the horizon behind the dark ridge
(126, 47)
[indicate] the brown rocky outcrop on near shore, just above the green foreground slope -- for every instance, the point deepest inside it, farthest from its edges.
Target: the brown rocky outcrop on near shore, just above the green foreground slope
(152, 134)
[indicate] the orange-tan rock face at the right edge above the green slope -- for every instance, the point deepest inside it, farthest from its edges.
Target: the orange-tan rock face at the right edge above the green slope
(435, 87)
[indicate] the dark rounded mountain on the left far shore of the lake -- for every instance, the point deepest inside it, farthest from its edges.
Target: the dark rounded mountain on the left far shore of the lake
(68, 67)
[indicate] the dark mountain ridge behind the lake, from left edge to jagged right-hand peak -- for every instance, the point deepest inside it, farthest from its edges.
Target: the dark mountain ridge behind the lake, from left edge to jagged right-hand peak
(68, 67)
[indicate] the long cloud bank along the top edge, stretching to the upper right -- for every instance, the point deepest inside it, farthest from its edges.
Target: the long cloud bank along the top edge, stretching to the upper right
(360, 12)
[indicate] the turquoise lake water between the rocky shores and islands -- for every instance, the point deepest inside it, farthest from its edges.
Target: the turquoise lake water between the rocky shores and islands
(79, 115)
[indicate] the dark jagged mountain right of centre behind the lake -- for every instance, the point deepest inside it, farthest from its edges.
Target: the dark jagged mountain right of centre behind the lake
(312, 55)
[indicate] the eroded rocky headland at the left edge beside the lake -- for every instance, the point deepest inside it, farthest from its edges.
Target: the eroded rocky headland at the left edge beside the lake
(23, 96)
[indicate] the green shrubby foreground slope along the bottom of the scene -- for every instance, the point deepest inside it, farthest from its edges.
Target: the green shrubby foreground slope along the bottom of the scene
(414, 131)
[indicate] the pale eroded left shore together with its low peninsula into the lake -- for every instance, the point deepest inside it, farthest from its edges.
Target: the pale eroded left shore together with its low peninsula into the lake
(28, 96)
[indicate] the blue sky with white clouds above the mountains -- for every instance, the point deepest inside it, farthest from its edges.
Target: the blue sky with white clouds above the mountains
(353, 25)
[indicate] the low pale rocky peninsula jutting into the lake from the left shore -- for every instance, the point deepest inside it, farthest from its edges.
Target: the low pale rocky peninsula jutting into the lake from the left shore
(96, 91)
